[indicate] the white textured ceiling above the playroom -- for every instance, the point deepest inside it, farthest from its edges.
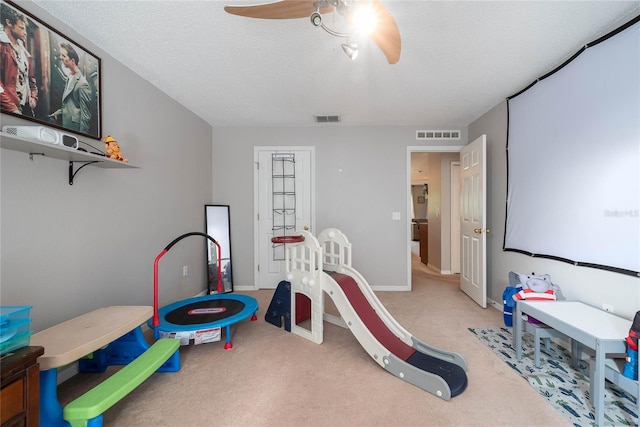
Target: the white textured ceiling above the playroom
(459, 58)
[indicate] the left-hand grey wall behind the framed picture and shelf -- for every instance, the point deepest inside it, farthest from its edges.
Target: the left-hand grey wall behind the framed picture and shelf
(65, 249)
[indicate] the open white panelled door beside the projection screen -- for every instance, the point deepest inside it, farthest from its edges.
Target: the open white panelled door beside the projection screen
(473, 219)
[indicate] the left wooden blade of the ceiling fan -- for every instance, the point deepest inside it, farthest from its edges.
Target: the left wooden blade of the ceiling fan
(284, 9)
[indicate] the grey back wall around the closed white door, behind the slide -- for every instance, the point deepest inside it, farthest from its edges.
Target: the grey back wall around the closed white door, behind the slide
(359, 200)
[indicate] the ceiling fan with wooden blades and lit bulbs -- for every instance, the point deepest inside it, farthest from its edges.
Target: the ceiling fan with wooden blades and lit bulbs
(385, 34)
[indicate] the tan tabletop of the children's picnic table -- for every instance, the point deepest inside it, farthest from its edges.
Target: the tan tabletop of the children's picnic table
(69, 341)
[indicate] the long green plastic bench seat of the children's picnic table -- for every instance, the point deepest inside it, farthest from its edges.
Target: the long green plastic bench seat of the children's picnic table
(87, 409)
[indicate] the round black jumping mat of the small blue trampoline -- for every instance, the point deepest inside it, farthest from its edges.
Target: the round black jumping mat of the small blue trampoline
(205, 311)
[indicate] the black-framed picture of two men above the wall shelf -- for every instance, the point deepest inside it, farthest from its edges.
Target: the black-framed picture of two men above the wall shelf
(46, 77)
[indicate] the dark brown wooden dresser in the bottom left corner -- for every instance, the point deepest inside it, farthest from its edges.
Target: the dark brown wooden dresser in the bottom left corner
(20, 394)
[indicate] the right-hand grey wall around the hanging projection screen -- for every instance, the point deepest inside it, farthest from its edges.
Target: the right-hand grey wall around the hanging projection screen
(589, 285)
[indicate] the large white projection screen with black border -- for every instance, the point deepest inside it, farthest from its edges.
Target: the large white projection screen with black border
(573, 155)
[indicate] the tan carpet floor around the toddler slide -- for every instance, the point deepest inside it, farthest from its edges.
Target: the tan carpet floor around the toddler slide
(274, 378)
